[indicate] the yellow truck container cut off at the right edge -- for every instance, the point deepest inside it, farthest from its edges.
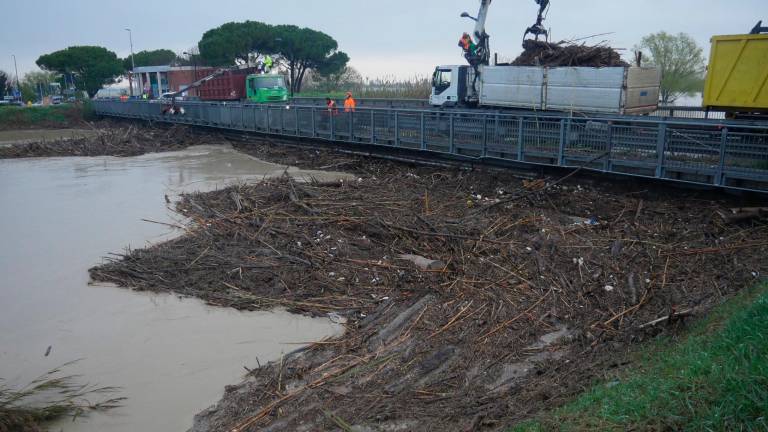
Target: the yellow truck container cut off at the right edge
(737, 77)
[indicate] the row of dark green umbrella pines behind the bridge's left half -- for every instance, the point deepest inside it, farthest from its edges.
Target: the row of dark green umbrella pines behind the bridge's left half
(297, 50)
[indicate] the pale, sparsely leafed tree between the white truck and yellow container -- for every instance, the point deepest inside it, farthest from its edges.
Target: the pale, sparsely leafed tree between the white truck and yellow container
(681, 61)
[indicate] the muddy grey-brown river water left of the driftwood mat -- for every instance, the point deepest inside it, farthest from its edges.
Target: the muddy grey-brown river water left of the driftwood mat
(171, 356)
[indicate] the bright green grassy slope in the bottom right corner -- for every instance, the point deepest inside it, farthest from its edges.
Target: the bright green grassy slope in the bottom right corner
(714, 379)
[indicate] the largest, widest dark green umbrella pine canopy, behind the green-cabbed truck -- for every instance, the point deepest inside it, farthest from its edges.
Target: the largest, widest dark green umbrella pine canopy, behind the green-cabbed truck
(298, 49)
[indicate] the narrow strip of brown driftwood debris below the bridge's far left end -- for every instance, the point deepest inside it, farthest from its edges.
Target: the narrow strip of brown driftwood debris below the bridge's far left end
(110, 139)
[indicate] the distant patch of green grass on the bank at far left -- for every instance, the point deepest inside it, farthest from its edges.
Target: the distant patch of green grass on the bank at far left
(13, 117)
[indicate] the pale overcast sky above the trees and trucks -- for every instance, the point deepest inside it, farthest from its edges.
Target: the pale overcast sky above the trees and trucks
(383, 38)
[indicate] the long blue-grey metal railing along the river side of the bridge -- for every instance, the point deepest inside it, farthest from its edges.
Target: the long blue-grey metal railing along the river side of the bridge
(726, 154)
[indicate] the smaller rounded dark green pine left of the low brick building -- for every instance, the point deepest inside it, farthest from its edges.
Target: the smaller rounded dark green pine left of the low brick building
(92, 66)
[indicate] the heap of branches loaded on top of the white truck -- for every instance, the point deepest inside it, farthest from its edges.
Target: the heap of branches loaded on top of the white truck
(541, 53)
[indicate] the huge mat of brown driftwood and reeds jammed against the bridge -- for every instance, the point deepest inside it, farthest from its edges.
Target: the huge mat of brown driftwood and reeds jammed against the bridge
(471, 299)
